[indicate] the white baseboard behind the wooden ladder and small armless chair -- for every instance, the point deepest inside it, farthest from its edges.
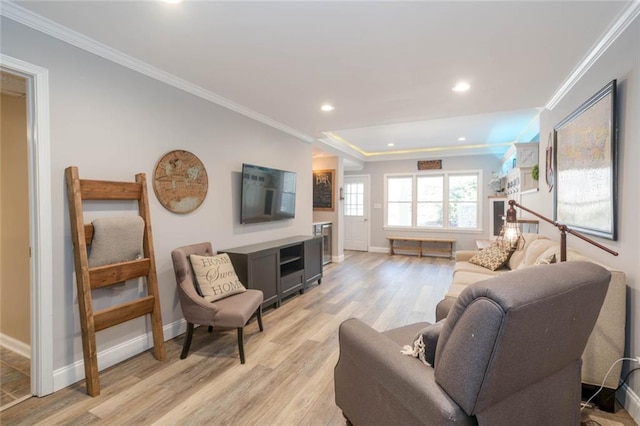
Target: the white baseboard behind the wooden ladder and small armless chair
(73, 373)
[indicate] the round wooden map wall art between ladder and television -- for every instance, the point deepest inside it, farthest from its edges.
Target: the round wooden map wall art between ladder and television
(180, 181)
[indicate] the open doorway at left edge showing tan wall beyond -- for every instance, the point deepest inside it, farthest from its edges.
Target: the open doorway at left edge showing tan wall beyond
(15, 318)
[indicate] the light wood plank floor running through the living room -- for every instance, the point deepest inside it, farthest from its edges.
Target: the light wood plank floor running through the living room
(288, 376)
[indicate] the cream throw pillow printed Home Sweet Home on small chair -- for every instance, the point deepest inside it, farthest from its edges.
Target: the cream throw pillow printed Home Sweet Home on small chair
(215, 276)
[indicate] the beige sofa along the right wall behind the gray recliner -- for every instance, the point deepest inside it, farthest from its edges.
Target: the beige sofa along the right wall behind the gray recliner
(606, 343)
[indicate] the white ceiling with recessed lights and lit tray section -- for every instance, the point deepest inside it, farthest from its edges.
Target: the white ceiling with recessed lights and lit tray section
(387, 67)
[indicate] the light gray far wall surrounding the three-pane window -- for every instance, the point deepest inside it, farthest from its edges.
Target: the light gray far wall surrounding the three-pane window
(377, 170)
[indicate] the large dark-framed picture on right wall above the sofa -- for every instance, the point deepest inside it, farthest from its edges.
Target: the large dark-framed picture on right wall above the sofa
(585, 172)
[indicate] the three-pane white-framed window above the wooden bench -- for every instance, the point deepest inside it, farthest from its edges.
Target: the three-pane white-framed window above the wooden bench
(433, 200)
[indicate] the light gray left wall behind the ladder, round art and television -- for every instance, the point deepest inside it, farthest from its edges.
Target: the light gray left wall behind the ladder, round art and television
(112, 123)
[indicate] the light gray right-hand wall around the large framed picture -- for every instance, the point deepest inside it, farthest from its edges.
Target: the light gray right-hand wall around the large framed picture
(621, 62)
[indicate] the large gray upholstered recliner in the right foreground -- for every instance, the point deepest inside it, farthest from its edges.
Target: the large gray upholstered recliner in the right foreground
(508, 353)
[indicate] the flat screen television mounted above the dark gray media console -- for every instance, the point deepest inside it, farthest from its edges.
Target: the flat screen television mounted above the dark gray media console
(267, 194)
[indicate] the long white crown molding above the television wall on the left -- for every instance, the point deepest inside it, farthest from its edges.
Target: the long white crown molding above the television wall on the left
(39, 23)
